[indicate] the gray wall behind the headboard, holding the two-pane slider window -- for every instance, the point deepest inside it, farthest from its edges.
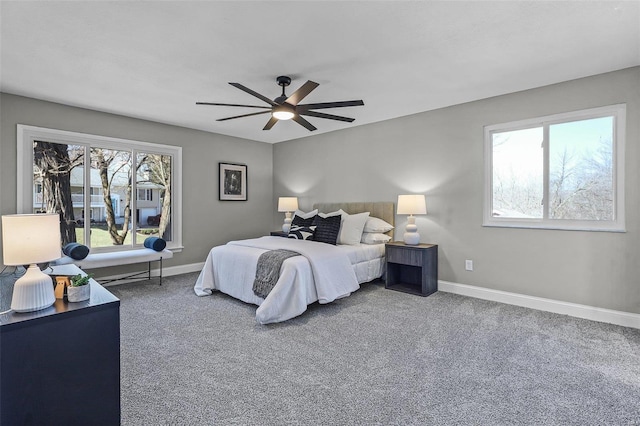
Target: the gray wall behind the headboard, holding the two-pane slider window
(440, 153)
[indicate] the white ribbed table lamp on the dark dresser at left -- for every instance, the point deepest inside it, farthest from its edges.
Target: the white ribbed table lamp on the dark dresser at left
(29, 239)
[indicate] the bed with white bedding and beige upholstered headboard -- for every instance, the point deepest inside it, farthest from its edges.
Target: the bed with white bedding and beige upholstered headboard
(322, 274)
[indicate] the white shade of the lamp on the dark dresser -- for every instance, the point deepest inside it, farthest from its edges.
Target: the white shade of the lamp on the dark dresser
(30, 238)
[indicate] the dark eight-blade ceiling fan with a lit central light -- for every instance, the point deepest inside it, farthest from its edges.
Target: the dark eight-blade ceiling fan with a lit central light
(287, 107)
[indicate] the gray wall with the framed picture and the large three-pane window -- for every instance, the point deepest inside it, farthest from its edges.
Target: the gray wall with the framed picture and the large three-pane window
(206, 221)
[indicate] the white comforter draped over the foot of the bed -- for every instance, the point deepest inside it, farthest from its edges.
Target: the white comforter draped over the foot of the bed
(323, 273)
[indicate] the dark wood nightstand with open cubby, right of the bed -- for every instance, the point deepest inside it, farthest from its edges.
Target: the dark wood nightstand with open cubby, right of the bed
(412, 269)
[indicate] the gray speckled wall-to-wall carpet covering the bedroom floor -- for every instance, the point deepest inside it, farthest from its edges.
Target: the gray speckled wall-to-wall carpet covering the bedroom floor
(378, 357)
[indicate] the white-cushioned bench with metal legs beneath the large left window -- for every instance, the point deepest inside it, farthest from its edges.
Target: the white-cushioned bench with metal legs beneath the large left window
(128, 257)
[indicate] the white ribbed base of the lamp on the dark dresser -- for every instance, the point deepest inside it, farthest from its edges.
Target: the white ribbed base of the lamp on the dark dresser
(33, 291)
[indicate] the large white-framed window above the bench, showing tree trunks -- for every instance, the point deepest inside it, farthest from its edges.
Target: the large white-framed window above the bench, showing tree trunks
(97, 183)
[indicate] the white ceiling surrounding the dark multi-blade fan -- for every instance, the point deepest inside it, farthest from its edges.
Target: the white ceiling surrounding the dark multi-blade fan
(154, 60)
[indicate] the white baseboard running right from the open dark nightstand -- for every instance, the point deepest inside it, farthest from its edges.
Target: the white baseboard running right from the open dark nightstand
(625, 319)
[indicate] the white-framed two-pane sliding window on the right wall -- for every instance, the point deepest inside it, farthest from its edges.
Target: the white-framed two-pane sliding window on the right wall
(564, 171)
